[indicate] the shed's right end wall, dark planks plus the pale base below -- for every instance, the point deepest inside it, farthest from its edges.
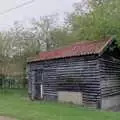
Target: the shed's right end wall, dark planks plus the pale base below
(110, 82)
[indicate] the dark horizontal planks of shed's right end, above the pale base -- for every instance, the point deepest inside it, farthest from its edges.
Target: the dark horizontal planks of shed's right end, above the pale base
(110, 76)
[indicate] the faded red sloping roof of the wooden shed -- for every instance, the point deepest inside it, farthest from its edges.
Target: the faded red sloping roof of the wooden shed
(77, 49)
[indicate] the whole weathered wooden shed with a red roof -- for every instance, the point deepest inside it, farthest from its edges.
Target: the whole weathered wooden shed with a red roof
(86, 73)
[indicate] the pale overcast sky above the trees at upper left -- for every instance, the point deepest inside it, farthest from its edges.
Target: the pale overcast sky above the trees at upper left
(35, 9)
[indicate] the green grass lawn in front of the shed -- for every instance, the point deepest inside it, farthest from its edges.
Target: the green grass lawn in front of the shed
(14, 103)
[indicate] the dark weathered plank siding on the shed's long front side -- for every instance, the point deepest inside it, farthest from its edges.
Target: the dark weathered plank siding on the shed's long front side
(84, 70)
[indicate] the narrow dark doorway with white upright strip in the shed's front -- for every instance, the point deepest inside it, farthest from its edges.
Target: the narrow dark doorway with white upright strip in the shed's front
(38, 84)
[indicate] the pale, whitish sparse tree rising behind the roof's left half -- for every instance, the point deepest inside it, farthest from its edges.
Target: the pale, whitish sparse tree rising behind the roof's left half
(42, 30)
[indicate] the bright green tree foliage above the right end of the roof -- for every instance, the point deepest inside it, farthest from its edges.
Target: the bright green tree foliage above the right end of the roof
(100, 22)
